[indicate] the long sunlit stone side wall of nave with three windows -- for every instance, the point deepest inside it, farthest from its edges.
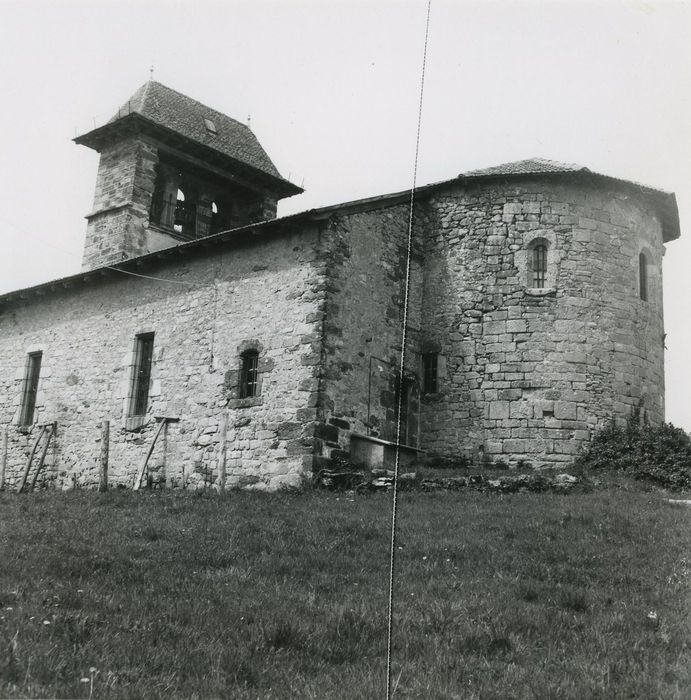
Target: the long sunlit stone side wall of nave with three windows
(267, 295)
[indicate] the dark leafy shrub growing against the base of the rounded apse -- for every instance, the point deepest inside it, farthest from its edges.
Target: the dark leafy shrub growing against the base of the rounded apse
(660, 453)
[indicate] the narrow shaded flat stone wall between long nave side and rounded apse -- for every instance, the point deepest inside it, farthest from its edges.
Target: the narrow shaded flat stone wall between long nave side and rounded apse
(364, 257)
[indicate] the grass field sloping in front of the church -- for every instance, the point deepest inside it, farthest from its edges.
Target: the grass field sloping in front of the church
(168, 594)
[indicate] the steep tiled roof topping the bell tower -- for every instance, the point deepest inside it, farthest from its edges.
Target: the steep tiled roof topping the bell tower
(185, 116)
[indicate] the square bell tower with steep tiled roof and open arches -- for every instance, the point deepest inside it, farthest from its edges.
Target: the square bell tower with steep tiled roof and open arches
(173, 170)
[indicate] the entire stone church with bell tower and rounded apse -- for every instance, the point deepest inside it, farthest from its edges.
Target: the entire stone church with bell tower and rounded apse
(257, 347)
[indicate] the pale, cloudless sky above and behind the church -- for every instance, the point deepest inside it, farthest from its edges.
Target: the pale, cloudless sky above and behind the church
(331, 90)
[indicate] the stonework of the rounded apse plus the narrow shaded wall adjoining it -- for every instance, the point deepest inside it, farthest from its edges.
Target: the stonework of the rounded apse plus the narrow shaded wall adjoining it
(524, 373)
